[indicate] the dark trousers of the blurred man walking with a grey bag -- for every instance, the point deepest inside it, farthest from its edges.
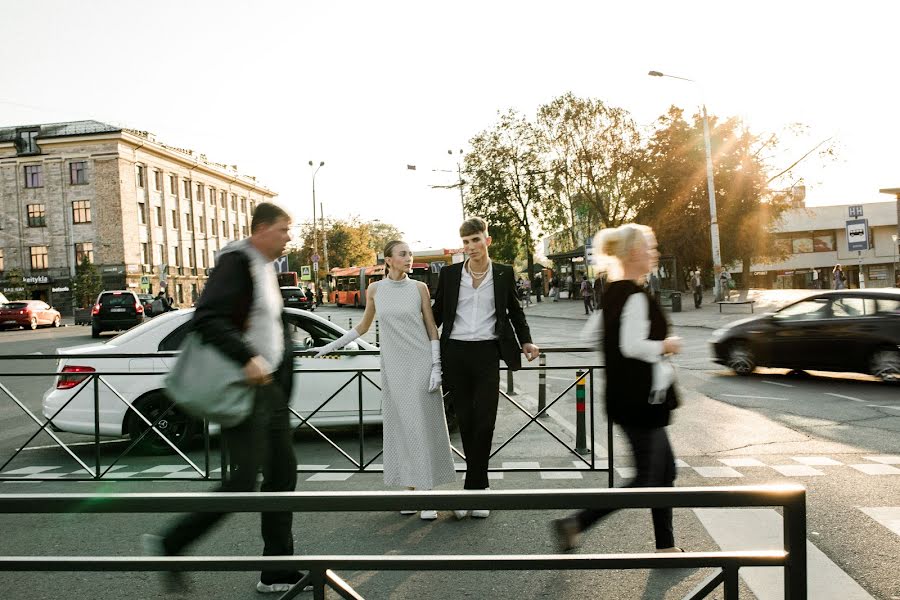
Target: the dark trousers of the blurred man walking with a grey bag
(264, 441)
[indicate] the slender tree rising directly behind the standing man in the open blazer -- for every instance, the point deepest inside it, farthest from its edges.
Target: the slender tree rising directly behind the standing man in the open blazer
(509, 183)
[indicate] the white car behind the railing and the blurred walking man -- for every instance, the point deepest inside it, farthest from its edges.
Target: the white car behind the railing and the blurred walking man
(70, 402)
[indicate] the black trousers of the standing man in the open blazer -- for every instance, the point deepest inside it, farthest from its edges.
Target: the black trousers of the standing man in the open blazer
(472, 376)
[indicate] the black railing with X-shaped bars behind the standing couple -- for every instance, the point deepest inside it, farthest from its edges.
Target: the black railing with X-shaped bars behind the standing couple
(359, 377)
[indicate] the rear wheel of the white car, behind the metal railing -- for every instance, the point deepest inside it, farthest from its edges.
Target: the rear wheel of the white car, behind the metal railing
(174, 424)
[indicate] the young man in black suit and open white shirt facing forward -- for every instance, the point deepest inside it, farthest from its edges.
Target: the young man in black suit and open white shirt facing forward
(482, 320)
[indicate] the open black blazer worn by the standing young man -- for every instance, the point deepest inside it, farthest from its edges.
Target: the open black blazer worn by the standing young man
(511, 329)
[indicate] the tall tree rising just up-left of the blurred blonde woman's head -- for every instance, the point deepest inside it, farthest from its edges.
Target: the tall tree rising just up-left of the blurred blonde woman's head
(595, 155)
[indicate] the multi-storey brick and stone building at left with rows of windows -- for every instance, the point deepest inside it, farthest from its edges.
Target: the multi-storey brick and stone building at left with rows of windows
(149, 215)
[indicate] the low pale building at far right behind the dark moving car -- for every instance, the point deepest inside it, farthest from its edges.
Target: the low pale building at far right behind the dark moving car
(815, 240)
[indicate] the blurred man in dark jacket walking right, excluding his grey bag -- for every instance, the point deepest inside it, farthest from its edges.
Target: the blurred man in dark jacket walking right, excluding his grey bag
(240, 313)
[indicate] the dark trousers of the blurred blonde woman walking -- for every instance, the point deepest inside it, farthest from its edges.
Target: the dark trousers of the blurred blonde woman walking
(655, 465)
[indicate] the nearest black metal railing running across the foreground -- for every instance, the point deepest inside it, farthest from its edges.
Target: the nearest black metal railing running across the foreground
(322, 569)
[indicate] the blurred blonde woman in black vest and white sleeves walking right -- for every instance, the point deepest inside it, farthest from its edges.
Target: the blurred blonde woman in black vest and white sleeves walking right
(640, 392)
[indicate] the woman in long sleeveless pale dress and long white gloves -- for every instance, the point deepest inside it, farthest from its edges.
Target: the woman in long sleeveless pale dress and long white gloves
(416, 443)
